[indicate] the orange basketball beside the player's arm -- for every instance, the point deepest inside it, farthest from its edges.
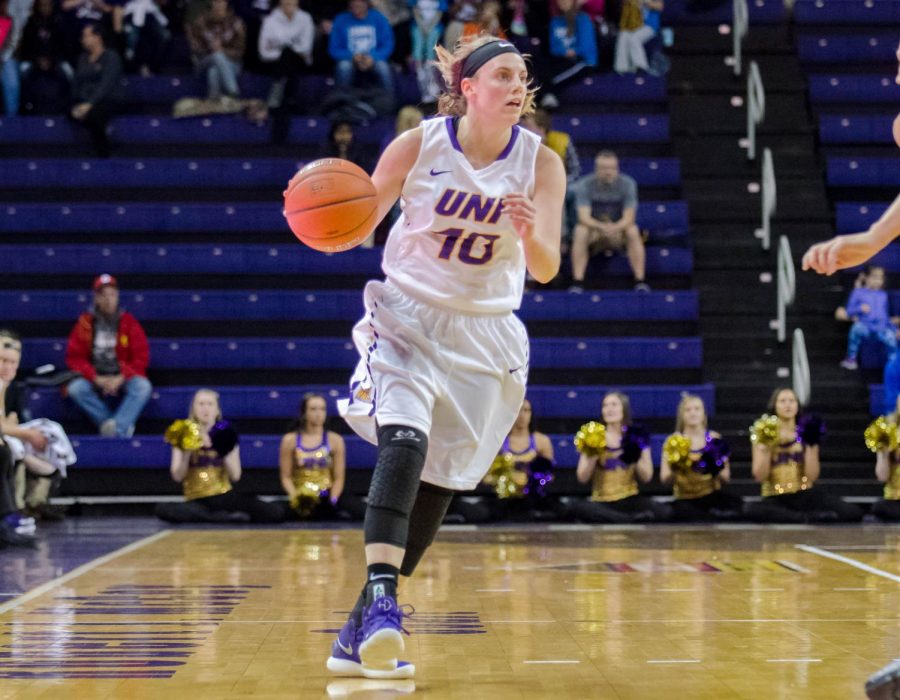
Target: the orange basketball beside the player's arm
(330, 205)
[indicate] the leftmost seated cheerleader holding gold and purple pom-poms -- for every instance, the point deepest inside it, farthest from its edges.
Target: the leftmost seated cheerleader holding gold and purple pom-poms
(205, 461)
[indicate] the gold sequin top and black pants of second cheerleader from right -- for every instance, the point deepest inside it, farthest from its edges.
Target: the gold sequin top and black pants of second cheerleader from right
(789, 497)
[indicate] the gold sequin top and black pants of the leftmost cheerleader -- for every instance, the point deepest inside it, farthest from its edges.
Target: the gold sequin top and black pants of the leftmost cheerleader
(209, 496)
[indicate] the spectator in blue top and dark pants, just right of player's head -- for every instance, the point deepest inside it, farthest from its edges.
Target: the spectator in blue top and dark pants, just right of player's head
(573, 51)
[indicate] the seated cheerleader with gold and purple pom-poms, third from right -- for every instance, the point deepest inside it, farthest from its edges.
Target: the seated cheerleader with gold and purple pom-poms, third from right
(696, 458)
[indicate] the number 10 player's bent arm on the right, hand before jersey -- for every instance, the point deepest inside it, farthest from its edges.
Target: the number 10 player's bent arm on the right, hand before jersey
(538, 220)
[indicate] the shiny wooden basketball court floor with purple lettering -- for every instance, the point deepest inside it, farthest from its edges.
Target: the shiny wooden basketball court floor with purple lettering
(624, 613)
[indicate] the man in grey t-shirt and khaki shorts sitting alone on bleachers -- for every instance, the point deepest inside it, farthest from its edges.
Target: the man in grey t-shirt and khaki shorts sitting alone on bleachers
(607, 205)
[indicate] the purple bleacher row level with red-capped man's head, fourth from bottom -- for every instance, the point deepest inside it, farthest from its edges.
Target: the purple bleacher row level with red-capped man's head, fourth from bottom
(331, 305)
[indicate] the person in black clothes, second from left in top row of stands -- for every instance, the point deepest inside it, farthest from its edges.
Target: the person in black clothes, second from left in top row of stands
(46, 78)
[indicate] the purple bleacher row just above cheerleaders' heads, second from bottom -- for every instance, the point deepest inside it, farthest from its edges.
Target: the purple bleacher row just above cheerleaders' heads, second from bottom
(647, 401)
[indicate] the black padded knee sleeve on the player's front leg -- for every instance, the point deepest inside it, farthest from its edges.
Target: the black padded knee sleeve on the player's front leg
(392, 493)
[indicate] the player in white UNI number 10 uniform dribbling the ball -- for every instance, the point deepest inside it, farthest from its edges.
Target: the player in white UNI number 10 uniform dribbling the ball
(444, 360)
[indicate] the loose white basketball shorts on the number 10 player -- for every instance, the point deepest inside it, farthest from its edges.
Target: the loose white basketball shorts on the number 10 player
(459, 378)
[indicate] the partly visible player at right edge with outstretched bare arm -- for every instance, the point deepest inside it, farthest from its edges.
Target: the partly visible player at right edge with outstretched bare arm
(827, 258)
